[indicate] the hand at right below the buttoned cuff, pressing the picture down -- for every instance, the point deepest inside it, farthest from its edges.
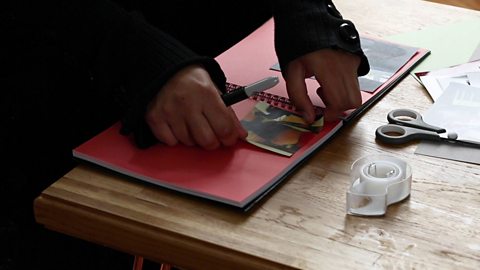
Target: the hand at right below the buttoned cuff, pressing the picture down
(335, 71)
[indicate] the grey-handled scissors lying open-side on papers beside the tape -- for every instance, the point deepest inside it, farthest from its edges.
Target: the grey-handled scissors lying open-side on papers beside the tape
(408, 125)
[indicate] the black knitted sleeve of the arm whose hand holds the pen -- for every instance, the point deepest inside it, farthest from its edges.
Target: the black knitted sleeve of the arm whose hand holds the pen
(126, 55)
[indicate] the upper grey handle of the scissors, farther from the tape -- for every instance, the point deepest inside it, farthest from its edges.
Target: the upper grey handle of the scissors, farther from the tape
(411, 118)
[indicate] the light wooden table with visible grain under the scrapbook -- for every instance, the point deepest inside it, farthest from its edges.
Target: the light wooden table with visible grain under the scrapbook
(302, 224)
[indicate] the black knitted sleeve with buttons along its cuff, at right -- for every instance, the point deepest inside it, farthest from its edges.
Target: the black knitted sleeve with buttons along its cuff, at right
(304, 26)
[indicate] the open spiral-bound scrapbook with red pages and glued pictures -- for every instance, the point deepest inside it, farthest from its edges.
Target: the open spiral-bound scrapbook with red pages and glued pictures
(278, 142)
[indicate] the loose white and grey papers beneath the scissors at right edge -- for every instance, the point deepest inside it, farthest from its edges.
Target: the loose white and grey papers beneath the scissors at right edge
(456, 95)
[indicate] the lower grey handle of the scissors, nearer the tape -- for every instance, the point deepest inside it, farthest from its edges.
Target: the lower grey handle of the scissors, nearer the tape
(396, 134)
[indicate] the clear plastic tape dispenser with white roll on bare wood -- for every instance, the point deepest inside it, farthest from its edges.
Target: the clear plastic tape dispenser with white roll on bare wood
(377, 181)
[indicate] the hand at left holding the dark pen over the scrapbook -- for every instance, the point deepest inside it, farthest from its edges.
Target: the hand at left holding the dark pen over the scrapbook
(188, 109)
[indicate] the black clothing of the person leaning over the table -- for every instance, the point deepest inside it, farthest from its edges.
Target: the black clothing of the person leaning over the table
(69, 69)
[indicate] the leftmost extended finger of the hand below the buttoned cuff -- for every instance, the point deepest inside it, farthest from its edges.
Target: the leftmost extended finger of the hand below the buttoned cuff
(297, 90)
